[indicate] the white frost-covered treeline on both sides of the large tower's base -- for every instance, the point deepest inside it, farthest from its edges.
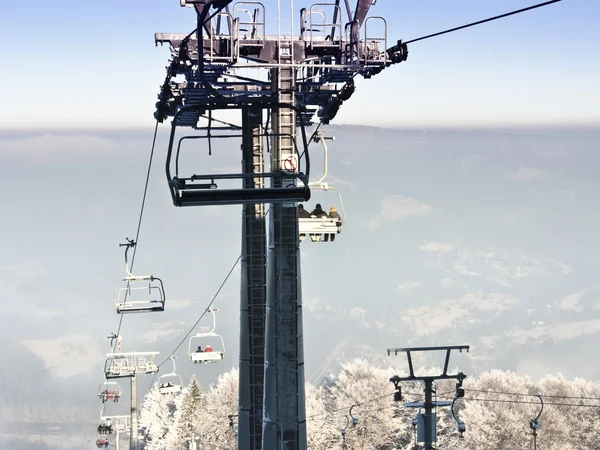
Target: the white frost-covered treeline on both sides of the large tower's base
(496, 409)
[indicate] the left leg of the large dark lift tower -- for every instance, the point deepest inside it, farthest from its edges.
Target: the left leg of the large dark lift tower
(253, 290)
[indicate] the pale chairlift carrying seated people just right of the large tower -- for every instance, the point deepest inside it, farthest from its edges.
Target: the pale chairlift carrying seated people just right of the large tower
(323, 229)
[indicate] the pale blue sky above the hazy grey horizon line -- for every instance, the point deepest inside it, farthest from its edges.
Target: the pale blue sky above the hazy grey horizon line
(70, 64)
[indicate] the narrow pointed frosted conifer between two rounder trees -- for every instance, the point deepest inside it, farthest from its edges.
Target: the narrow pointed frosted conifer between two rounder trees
(187, 418)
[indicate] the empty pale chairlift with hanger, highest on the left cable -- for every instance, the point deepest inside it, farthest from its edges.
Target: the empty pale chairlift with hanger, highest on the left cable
(131, 289)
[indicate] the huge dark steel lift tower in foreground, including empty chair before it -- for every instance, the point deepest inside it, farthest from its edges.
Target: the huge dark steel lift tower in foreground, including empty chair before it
(276, 84)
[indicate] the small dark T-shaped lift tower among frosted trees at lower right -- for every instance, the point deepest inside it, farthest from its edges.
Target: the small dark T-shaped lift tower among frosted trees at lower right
(426, 423)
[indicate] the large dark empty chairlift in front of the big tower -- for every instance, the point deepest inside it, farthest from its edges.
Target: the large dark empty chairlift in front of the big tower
(289, 179)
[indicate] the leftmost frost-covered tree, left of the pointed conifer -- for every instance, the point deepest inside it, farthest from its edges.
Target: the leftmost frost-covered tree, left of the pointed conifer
(157, 415)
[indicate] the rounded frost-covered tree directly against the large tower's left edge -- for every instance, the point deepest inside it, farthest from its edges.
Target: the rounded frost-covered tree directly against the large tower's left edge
(221, 401)
